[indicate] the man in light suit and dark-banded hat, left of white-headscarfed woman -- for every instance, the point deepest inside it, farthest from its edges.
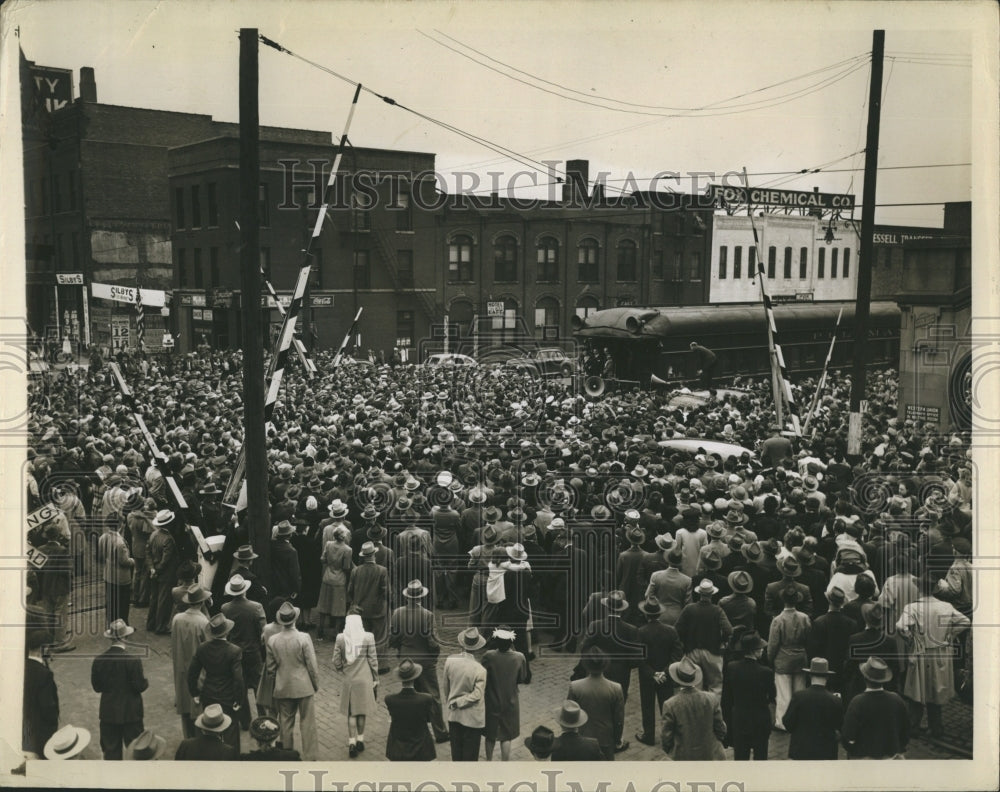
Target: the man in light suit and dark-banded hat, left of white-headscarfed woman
(291, 659)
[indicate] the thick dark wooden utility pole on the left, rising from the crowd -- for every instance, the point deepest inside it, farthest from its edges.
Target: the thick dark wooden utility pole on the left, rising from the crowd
(258, 510)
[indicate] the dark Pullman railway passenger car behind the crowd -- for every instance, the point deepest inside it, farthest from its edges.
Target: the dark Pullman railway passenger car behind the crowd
(652, 344)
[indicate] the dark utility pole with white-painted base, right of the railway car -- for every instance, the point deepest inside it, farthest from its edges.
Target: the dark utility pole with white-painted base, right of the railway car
(863, 302)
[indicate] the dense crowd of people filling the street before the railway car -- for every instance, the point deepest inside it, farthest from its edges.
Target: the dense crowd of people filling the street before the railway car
(775, 585)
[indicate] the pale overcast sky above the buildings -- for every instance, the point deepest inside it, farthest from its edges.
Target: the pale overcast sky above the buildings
(632, 59)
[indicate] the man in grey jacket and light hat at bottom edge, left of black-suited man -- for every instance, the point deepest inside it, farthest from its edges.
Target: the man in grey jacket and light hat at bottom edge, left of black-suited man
(692, 719)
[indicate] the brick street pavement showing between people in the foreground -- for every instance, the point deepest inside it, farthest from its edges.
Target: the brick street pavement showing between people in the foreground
(539, 701)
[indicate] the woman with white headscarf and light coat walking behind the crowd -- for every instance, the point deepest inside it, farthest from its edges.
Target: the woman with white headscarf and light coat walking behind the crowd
(354, 656)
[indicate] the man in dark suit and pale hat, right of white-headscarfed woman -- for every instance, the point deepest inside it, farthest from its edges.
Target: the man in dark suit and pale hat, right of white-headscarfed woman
(411, 634)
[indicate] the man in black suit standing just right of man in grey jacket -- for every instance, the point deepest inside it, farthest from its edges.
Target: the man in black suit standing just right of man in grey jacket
(747, 692)
